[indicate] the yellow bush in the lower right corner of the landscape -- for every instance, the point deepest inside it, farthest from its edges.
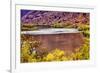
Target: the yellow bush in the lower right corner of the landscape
(82, 53)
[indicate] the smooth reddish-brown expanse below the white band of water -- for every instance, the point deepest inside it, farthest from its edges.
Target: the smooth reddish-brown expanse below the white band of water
(66, 41)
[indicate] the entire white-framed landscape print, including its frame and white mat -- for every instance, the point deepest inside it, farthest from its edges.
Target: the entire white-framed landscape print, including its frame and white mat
(48, 36)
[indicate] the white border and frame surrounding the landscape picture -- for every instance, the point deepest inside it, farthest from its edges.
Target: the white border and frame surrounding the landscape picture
(55, 65)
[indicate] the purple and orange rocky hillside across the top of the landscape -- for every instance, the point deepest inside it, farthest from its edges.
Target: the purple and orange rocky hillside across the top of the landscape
(50, 17)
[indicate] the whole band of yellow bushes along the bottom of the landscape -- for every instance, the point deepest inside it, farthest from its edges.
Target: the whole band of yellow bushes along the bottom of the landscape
(81, 53)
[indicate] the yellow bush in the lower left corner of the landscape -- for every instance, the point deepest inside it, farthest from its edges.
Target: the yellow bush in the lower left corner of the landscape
(25, 53)
